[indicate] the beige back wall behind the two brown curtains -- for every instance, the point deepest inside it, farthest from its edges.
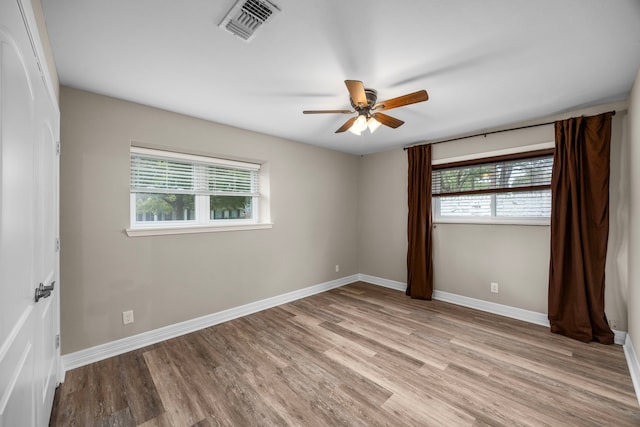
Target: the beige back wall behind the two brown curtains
(468, 257)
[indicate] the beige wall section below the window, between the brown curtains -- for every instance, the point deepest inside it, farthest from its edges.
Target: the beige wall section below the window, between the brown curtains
(468, 257)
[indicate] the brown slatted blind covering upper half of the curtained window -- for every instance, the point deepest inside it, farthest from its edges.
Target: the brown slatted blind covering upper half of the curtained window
(523, 172)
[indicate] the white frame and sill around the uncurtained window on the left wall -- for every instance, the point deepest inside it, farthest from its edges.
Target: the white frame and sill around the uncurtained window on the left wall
(261, 203)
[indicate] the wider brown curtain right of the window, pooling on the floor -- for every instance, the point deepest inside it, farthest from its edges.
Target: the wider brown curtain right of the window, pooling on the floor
(580, 228)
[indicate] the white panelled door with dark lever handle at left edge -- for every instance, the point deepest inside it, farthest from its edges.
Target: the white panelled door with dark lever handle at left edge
(29, 356)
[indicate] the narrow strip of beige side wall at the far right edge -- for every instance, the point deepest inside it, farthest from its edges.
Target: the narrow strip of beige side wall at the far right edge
(634, 216)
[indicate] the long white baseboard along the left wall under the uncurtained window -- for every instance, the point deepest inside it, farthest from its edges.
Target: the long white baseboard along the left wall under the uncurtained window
(114, 348)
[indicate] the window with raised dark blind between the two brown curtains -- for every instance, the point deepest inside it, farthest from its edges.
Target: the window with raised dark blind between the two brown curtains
(507, 188)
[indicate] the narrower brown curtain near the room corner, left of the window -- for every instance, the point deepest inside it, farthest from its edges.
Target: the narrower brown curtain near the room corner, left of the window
(419, 253)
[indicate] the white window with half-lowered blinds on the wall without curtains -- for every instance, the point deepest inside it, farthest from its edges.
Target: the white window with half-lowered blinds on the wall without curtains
(175, 190)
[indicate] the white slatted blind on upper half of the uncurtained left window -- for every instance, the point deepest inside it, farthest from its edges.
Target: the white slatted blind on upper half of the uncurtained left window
(154, 171)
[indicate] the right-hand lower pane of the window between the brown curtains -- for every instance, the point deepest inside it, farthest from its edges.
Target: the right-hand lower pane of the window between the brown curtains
(533, 204)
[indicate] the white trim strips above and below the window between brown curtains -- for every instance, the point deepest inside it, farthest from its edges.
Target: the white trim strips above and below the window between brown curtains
(493, 220)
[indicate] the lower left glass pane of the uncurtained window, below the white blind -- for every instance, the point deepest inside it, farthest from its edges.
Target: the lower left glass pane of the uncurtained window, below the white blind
(155, 207)
